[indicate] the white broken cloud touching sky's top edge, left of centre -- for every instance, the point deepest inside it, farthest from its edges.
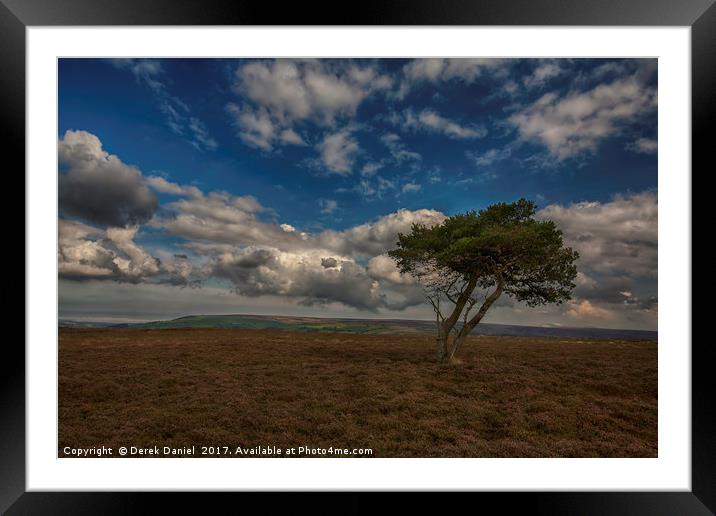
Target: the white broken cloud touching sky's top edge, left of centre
(283, 94)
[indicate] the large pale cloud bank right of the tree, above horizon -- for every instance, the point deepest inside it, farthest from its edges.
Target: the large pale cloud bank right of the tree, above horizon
(617, 243)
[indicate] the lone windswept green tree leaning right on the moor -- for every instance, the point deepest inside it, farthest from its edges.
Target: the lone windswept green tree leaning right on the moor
(476, 257)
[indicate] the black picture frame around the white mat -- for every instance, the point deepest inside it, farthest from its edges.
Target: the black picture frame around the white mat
(17, 15)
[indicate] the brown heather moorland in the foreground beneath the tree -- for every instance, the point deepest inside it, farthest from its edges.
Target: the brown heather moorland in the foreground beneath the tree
(507, 396)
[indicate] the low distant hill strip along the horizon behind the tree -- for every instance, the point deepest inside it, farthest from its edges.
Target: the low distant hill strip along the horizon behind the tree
(370, 326)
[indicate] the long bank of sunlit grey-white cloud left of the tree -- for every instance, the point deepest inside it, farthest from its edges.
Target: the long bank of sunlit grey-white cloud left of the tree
(264, 258)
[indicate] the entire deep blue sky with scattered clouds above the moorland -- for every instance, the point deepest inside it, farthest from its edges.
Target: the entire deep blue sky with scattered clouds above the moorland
(177, 173)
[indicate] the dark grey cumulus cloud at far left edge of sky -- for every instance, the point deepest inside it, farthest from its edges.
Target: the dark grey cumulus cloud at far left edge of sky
(98, 187)
